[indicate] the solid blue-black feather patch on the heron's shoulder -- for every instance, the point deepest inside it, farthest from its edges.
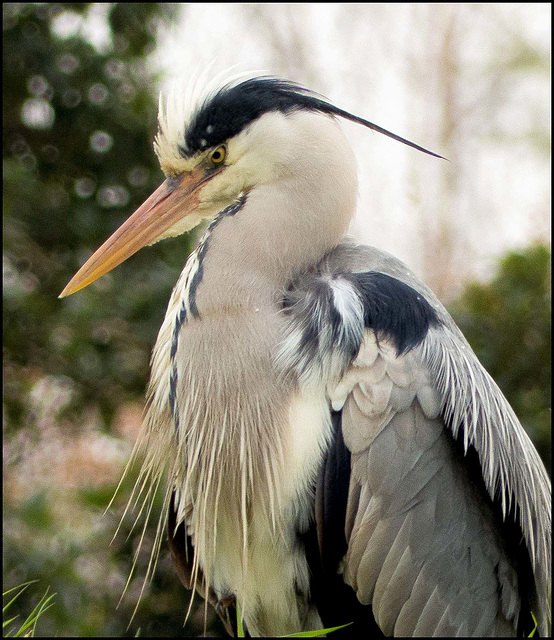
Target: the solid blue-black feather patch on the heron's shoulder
(393, 309)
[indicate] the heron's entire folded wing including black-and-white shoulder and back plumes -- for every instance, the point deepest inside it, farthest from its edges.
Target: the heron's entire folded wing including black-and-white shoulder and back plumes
(447, 517)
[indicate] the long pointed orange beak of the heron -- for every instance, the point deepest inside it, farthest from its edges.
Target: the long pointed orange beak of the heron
(172, 200)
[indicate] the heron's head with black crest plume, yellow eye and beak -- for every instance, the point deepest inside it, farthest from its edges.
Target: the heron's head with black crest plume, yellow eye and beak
(217, 146)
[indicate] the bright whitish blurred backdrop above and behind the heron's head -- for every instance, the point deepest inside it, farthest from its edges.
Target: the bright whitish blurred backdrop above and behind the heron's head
(469, 81)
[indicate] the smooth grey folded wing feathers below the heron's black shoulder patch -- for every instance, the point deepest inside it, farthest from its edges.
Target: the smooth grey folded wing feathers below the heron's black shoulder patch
(423, 546)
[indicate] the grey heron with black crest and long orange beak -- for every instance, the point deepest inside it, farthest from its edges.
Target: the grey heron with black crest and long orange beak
(329, 447)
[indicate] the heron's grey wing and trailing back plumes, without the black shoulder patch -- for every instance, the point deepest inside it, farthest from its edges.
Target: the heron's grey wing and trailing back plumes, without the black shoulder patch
(423, 547)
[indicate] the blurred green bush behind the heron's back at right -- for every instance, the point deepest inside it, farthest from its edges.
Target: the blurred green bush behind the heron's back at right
(508, 324)
